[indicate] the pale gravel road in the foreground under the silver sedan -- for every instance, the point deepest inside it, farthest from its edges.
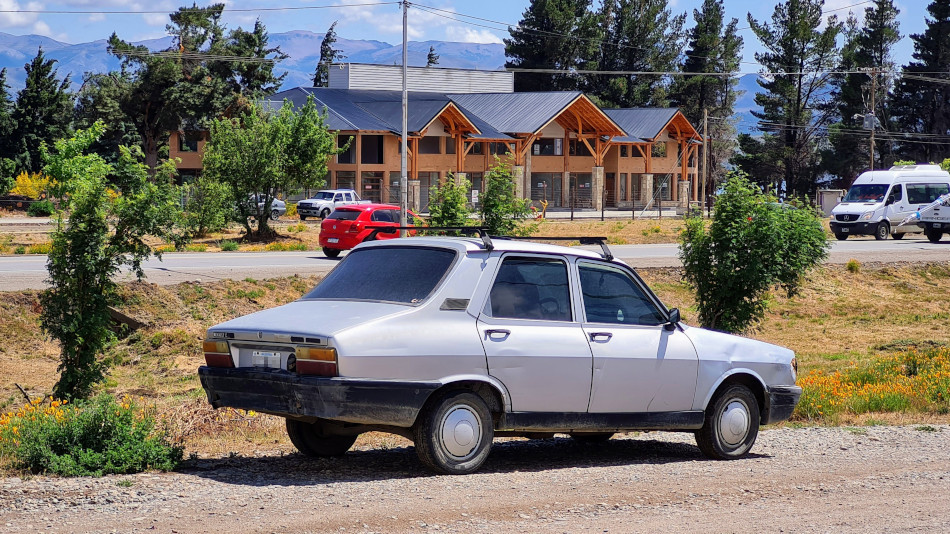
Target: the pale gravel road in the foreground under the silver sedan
(869, 479)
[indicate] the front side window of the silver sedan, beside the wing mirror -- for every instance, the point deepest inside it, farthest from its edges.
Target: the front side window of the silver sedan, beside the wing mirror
(612, 296)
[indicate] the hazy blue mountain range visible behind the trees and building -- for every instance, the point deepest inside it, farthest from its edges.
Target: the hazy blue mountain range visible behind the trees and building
(303, 47)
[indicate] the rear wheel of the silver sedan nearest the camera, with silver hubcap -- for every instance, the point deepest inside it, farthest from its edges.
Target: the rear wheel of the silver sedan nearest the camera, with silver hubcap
(454, 434)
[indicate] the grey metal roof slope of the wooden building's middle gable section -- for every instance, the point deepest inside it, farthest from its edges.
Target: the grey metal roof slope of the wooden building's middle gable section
(514, 113)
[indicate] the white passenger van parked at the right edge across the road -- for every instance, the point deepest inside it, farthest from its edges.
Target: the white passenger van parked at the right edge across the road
(878, 201)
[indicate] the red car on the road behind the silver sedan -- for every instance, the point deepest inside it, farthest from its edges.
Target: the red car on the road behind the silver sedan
(347, 226)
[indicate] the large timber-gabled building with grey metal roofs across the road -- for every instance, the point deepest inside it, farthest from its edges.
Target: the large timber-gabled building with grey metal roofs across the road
(562, 149)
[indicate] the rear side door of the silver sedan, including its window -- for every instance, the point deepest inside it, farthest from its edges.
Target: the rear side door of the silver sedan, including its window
(533, 343)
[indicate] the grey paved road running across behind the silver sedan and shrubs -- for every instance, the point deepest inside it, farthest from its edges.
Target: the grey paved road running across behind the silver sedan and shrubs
(29, 272)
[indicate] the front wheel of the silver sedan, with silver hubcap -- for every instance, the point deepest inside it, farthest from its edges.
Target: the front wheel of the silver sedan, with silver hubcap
(731, 425)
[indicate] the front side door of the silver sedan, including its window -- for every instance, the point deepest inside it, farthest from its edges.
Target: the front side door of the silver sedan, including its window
(639, 365)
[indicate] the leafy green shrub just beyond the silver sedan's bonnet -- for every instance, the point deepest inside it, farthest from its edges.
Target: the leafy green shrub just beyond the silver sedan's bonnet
(751, 246)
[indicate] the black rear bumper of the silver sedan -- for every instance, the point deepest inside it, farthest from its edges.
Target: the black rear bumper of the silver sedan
(351, 400)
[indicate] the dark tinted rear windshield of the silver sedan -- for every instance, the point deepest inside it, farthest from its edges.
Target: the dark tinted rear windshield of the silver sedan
(407, 275)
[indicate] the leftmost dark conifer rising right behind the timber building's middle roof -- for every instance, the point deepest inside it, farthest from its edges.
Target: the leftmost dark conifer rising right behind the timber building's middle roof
(553, 34)
